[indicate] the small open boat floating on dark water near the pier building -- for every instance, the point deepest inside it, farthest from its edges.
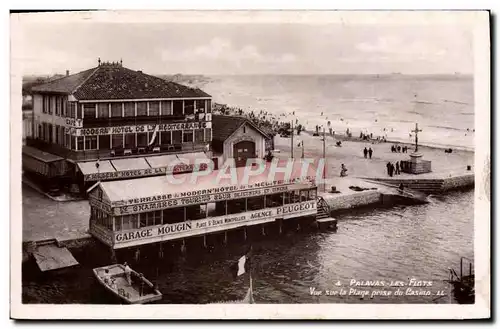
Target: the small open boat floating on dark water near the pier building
(114, 279)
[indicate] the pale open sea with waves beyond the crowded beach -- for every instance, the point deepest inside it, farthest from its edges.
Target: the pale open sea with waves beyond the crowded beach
(384, 105)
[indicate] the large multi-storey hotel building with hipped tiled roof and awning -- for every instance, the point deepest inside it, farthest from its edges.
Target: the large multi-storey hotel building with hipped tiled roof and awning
(111, 116)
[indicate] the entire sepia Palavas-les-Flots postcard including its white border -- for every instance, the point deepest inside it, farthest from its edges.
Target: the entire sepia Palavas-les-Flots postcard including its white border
(334, 162)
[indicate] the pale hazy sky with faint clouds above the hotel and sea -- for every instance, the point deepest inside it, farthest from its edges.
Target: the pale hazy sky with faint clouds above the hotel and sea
(250, 48)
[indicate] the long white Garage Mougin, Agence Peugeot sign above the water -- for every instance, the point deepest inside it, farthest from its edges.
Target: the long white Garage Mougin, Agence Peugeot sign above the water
(209, 225)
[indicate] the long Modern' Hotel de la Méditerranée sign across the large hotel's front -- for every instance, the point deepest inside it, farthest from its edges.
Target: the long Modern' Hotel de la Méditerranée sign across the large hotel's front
(98, 131)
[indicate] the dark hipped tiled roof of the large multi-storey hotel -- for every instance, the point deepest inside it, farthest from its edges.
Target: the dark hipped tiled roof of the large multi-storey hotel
(117, 82)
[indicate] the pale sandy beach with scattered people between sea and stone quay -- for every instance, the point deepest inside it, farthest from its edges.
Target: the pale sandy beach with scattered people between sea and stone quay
(351, 154)
